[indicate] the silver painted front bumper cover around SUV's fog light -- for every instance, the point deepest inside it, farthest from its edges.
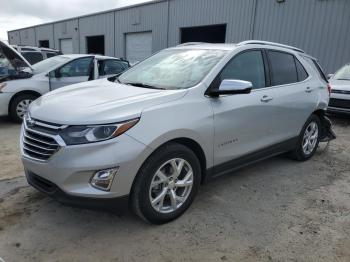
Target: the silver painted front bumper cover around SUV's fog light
(72, 167)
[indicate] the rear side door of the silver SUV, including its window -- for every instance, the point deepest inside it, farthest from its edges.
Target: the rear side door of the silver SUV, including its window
(293, 94)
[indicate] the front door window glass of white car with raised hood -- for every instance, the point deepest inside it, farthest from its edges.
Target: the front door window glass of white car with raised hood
(78, 67)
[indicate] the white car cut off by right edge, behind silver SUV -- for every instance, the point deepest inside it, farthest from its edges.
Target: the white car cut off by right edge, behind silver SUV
(340, 96)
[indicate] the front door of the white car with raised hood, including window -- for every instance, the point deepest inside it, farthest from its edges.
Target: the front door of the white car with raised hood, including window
(76, 71)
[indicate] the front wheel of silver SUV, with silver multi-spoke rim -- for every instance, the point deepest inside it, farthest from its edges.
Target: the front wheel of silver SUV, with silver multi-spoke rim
(166, 184)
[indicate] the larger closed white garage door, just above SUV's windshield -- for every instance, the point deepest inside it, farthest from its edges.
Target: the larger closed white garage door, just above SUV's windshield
(138, 46)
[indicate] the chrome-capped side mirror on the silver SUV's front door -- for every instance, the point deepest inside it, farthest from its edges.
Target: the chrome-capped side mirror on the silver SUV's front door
(232, 87)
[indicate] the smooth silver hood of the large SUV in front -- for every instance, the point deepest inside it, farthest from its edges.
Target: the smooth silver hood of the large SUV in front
(98, 102)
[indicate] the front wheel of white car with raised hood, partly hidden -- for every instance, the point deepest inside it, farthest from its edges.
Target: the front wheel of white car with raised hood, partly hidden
(19, 106)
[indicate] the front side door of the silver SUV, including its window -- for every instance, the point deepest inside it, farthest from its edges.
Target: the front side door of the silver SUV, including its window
(243, 123)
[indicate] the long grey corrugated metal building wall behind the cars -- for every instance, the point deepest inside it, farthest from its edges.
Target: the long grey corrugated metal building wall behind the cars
(320, 27)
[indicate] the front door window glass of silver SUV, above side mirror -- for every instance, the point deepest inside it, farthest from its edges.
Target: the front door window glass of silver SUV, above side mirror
(248, 66)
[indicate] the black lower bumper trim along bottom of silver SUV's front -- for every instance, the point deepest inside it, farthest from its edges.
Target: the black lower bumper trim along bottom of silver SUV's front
(116, 205)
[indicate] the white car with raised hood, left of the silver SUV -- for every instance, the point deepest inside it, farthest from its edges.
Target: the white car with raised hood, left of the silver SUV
(19, 86)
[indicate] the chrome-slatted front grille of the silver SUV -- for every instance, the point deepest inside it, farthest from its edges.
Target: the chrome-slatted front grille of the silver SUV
(39, 139)
